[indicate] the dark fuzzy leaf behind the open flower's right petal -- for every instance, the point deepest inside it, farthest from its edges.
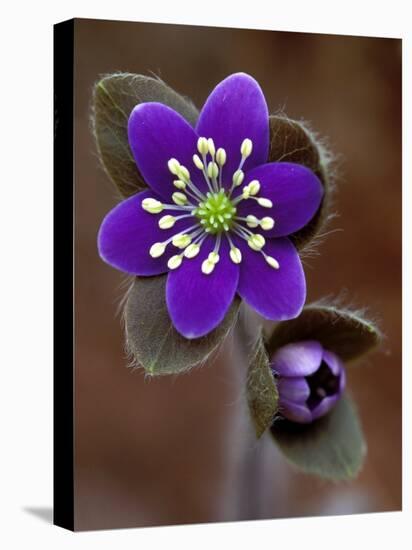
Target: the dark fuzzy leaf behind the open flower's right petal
(292, 141)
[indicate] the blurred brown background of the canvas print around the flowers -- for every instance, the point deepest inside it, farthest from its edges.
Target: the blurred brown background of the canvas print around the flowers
(181, 449)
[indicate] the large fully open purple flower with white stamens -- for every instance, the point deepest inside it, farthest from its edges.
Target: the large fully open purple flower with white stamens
(217, 215)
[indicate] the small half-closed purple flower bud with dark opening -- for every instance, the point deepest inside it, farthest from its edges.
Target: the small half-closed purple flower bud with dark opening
(310, 380)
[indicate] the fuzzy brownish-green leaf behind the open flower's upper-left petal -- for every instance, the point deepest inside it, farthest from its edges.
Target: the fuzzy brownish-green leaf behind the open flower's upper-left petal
(114, 98)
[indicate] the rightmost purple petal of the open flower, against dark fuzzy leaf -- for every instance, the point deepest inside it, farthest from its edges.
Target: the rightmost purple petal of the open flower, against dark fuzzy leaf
(294, 190)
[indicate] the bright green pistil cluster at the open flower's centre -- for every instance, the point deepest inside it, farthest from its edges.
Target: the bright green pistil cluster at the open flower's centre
(216, 213)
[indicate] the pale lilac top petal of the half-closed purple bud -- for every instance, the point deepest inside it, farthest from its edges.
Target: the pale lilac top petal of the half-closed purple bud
(298, 359)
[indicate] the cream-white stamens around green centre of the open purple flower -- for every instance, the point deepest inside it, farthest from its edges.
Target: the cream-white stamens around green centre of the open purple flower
(214, 212)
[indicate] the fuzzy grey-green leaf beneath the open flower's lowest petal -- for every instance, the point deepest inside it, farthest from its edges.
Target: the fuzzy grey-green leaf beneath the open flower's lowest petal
(151, 339)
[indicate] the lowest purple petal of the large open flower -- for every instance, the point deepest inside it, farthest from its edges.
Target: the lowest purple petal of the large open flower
(197, 302)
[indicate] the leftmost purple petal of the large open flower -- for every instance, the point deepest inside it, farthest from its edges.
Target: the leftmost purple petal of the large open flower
(128, 232)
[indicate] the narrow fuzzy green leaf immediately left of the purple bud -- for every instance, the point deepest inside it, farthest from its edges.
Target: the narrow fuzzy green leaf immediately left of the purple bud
(262, 394)
